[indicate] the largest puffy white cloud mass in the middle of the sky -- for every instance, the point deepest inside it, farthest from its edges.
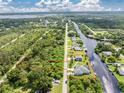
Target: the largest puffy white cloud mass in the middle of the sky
(66, 5)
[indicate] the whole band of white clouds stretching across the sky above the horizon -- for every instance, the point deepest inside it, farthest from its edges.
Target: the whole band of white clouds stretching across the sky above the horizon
(55, 5)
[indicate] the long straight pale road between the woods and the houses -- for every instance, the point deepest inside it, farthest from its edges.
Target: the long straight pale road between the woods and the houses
(64, 87)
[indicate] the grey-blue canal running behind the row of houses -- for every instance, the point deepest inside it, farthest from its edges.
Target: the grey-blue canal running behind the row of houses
(109, 82)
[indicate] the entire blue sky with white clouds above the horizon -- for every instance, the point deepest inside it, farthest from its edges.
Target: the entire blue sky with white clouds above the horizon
(14, 6)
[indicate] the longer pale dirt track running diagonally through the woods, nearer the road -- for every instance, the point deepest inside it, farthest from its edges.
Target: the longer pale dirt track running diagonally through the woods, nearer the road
(2, 80)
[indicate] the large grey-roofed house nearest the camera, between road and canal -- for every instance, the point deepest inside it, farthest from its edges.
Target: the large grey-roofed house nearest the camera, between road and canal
(81, 70)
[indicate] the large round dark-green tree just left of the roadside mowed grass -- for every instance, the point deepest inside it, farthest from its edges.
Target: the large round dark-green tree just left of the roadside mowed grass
(38, 80)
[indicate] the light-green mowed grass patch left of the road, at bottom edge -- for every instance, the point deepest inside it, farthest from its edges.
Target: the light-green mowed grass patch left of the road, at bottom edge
(57, 88)
